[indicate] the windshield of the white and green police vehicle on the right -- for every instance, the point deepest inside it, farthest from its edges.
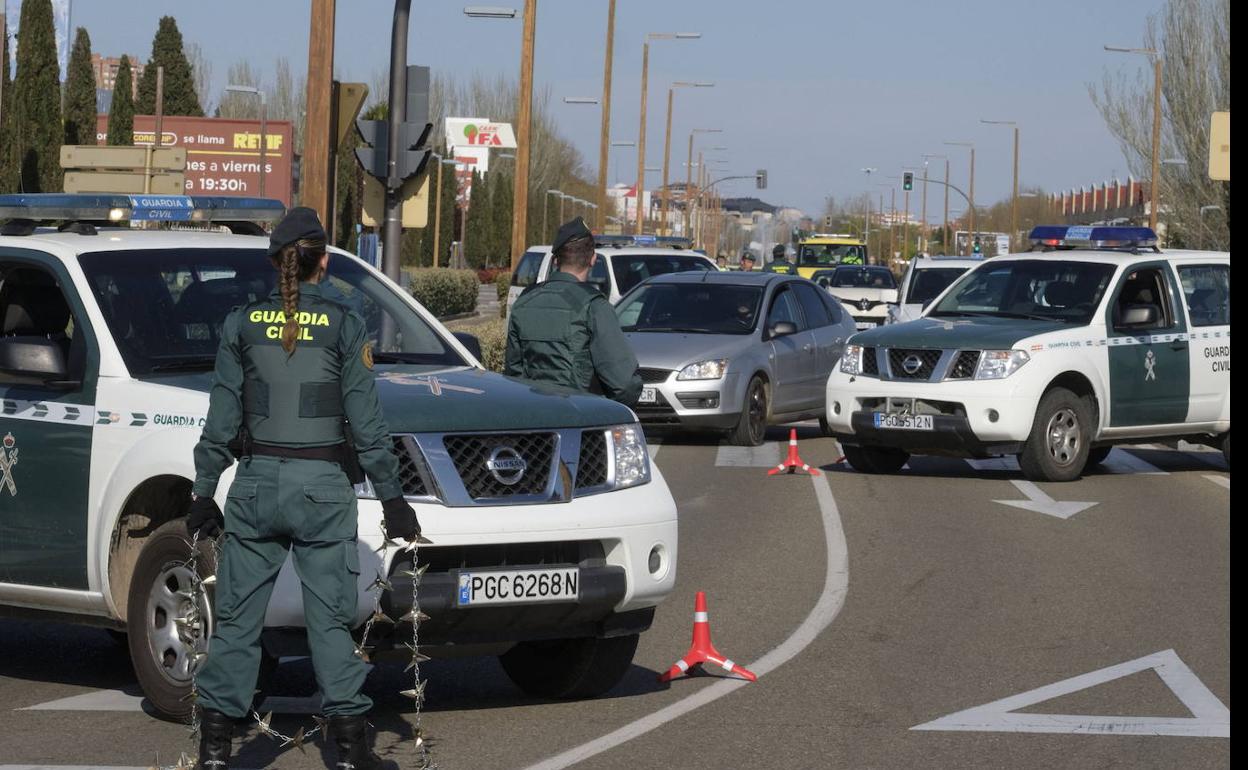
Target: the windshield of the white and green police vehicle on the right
(1045, 290)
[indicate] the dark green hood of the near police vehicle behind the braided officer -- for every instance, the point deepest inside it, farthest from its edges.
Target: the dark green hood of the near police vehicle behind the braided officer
(427, 400)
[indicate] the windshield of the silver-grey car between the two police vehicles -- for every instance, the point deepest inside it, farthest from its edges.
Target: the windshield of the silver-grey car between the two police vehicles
(698, 309)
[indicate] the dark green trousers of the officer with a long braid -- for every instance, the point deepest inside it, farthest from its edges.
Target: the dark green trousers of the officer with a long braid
(278, 506)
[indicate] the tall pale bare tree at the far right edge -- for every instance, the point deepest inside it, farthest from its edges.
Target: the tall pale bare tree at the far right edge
(1194, 42)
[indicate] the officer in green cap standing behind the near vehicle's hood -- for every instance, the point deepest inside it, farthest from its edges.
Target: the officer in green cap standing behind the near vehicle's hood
(565, 331)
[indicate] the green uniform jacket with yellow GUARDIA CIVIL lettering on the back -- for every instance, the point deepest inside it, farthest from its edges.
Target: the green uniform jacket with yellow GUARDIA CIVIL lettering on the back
(299, 400)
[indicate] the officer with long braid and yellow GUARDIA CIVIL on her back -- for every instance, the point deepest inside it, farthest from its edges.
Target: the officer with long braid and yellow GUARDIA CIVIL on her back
(291, 370)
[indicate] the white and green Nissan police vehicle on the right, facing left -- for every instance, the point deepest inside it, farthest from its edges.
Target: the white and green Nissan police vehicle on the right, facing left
(1095, 338)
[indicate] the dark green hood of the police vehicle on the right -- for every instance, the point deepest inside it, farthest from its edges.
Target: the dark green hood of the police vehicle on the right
(967, 334)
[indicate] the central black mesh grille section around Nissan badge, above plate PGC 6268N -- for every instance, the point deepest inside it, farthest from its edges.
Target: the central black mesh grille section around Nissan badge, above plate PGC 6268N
(471, 455)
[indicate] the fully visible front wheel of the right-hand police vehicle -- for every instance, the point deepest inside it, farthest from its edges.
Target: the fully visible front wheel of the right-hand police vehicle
(1059, 446)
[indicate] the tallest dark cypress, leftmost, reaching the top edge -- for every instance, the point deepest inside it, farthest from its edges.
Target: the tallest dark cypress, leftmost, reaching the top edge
(37, 102)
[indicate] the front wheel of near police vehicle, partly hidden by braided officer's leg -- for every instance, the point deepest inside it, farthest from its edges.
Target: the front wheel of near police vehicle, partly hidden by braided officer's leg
(162, 653)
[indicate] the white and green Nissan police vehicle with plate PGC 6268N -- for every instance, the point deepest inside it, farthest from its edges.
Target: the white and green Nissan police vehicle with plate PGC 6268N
(107, 349)
